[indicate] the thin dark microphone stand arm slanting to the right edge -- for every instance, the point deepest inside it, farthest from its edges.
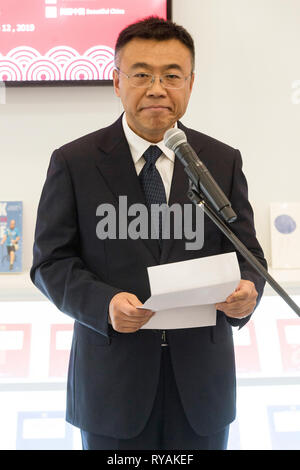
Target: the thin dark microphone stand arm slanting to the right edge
(198, 198)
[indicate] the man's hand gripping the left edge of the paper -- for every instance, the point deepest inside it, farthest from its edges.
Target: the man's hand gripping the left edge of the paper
(123, 314)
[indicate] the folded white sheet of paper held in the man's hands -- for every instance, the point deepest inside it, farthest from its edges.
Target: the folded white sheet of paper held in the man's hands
(184, 294)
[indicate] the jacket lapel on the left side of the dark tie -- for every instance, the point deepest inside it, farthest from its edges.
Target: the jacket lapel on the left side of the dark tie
(117, 168)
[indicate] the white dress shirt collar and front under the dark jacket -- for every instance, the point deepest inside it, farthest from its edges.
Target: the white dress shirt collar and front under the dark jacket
(138, 145)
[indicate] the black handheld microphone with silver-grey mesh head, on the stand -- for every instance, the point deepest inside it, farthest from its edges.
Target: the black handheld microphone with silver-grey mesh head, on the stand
(175, 139)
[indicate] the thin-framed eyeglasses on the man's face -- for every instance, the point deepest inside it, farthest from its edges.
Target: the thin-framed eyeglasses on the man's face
(146, 80)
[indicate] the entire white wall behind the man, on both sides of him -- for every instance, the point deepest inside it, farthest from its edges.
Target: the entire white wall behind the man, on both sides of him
(247, 59)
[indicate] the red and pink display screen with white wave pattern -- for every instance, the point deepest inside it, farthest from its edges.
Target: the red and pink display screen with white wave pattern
(65, 41)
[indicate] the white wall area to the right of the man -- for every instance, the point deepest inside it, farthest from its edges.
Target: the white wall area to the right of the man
(247, 60)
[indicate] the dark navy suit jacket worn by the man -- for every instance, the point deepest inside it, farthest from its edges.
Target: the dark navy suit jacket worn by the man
(113, 376)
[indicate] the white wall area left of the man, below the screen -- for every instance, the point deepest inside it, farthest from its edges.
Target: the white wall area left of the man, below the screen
(33, 123)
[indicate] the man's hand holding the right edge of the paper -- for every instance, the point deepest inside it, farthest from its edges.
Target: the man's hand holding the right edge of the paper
(241, 302)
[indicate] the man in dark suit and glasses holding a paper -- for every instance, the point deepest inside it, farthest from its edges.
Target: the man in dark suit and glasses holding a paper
(133, 388)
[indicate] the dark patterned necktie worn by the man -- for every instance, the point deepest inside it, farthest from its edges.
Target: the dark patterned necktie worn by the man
(151, 181)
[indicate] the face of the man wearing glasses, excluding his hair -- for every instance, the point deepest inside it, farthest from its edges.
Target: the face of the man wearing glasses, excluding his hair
(151, 111)
